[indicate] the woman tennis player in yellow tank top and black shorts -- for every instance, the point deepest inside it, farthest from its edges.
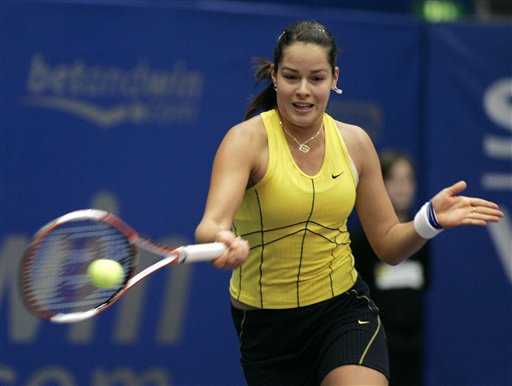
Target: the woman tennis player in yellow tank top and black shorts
(284, 182)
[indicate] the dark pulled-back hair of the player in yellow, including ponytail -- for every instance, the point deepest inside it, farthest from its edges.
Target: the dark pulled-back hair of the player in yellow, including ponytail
(301, 31)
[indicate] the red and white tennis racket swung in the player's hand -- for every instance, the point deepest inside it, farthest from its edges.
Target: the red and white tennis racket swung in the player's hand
(54, 281)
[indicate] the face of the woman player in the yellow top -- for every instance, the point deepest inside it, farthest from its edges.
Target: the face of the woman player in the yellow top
(304, 82)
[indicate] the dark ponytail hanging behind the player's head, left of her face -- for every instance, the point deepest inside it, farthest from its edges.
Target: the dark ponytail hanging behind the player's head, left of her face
(265, 100)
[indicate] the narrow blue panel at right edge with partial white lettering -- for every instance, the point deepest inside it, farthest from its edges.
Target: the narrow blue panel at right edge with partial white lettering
(469, 120)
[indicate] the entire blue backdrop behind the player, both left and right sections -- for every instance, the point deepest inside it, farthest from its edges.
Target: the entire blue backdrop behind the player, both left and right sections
(122, 108)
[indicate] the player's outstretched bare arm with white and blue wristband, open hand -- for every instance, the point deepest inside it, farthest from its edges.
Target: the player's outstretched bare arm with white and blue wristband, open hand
(393, 241)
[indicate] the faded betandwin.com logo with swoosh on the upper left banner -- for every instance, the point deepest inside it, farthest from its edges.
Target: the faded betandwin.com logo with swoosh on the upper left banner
(108, 96)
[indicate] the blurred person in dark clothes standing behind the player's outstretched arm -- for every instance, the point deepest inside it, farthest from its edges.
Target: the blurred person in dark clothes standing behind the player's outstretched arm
(398, 290)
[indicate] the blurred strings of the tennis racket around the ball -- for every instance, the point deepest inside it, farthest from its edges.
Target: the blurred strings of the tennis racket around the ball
(55, 278)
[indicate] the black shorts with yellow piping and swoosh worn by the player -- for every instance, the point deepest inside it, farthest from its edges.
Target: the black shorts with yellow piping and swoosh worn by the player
(300, 346)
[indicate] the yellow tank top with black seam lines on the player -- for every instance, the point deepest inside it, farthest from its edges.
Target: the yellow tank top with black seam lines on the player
(296, 226)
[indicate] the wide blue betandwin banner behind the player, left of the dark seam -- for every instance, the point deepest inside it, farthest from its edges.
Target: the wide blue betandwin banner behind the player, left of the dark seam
(122, 108)
